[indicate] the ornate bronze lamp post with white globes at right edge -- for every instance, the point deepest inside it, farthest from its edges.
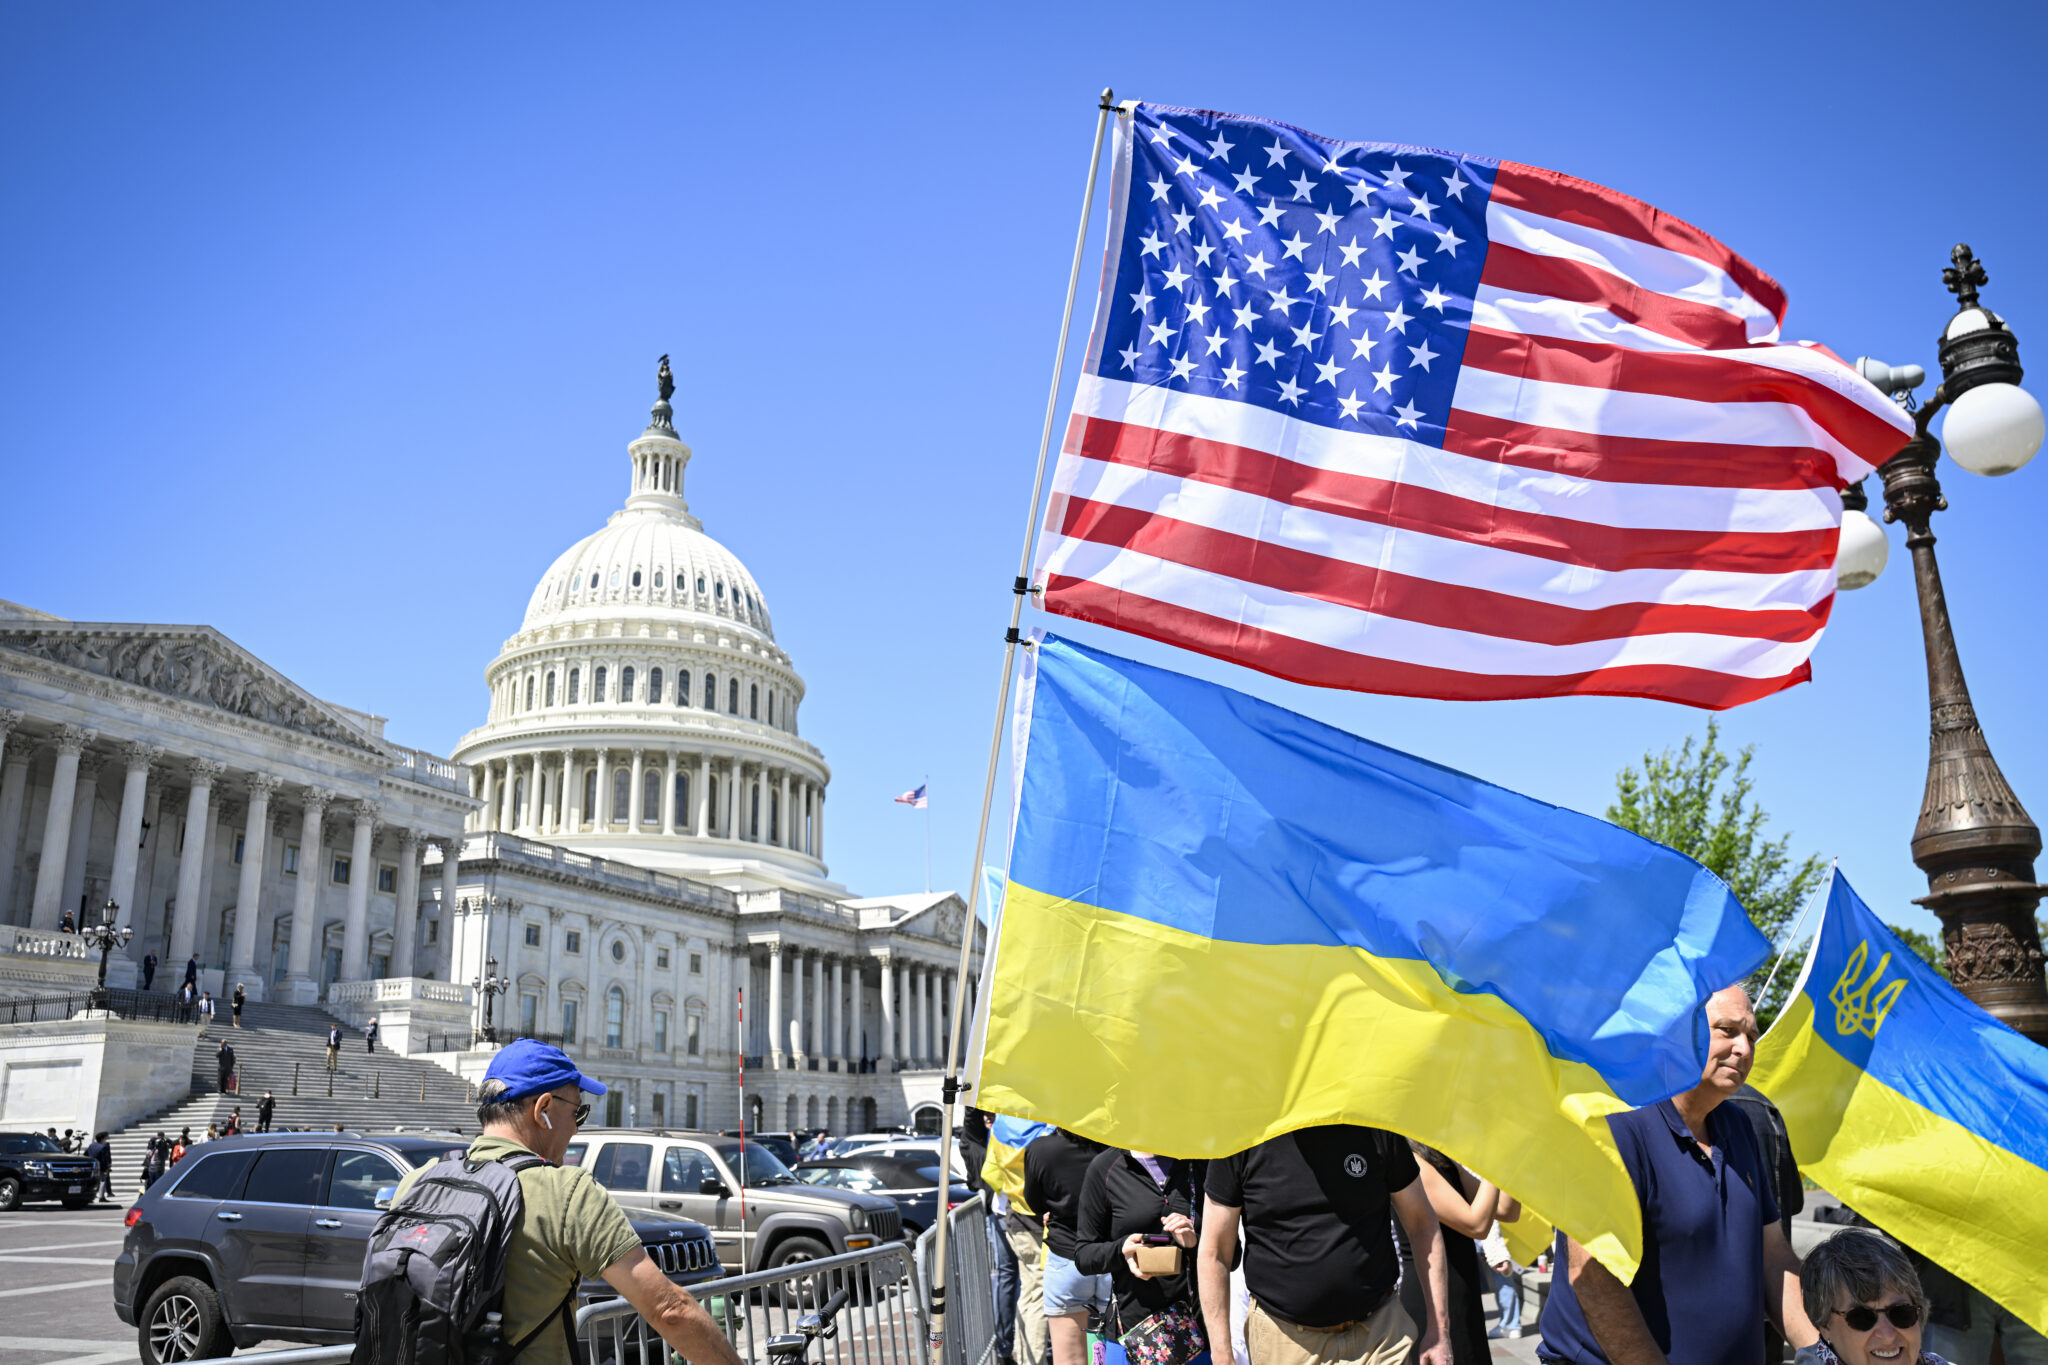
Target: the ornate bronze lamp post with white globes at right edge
(1973, 840)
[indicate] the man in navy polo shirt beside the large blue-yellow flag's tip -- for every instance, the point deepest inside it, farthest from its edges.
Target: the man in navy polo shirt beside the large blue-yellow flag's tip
(1715, 1260)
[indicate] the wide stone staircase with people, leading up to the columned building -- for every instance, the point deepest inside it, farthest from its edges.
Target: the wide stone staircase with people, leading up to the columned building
(286, 1045)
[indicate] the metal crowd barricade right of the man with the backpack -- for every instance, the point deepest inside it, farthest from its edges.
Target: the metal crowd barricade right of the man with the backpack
(884, 1321)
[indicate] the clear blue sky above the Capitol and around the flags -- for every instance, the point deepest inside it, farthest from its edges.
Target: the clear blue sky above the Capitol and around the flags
(329, 324)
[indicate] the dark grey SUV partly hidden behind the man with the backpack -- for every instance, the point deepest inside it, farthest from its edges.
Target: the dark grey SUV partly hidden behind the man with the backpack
(261, 1239)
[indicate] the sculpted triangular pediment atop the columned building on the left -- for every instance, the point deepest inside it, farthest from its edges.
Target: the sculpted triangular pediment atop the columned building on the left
(202, 668)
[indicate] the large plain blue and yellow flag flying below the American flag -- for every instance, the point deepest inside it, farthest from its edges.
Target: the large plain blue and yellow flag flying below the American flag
(1228, 922)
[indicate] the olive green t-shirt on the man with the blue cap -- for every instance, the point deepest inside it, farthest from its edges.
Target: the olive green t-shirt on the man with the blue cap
(568, 1231)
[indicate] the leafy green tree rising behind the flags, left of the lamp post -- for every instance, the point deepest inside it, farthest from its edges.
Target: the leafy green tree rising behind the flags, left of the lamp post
(1701, 803)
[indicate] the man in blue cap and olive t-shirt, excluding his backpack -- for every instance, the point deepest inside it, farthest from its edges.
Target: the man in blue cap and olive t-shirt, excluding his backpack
(570, 1229)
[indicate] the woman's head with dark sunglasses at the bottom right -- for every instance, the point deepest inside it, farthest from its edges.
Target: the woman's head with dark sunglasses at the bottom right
(1867, 1303)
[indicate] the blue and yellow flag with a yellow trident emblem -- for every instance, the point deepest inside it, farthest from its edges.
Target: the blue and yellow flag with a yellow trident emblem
(1914, 1106)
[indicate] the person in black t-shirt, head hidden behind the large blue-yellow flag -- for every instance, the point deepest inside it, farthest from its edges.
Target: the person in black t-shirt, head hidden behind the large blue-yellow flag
(1320, 1253)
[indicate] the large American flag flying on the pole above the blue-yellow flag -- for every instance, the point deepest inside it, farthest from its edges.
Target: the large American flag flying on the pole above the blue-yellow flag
(1404, 421)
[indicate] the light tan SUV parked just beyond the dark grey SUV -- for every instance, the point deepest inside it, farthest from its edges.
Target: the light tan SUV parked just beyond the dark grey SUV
(697, 1176)
